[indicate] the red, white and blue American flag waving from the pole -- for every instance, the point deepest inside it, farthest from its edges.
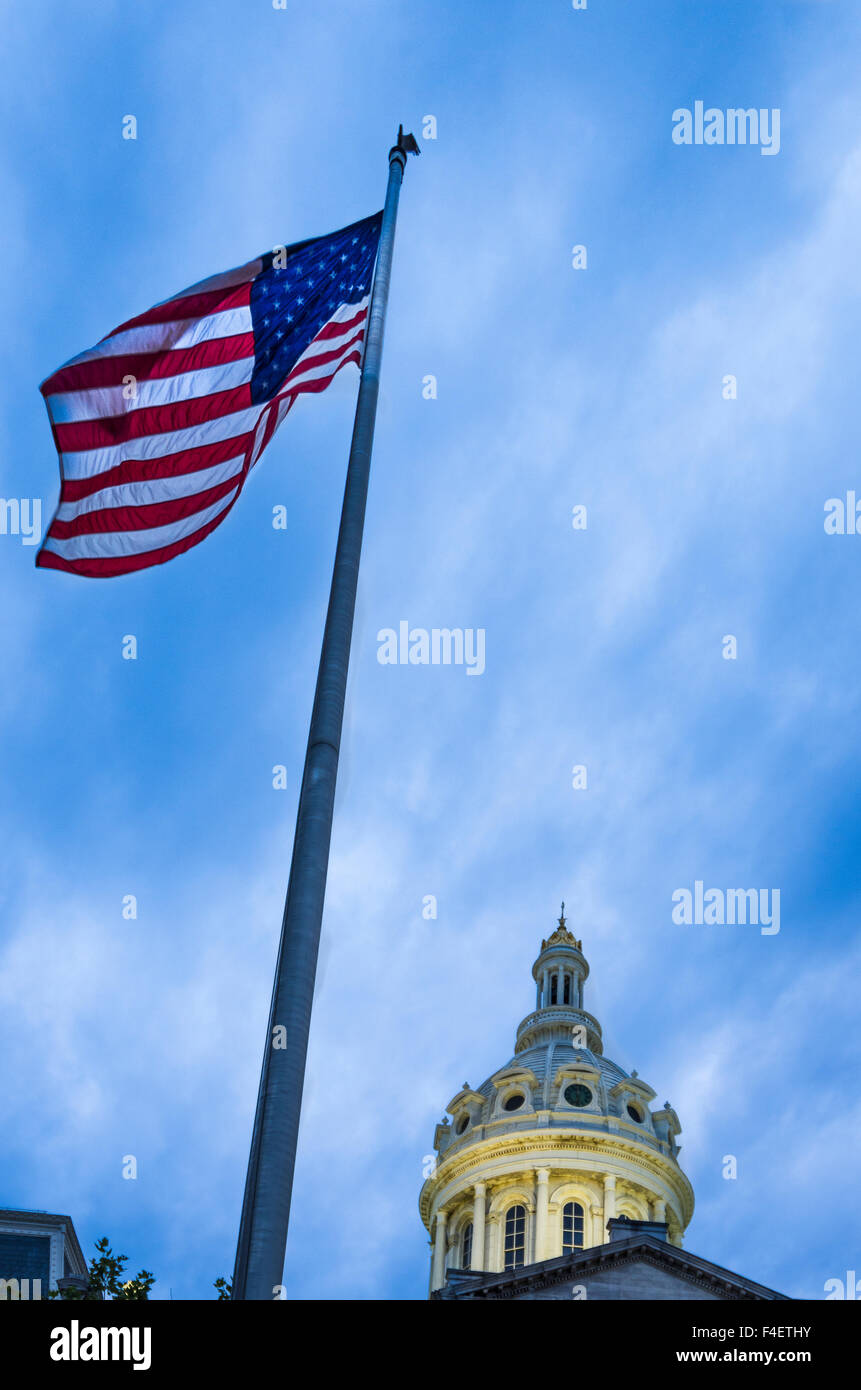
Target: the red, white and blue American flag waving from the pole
(161, 423)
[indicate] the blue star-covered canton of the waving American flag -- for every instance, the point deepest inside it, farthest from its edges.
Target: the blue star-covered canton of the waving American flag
(294, 300)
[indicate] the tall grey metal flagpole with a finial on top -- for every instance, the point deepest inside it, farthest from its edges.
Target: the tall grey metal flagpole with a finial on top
(273, 1153)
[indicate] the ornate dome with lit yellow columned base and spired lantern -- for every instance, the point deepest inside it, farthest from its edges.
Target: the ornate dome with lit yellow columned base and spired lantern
(538, 1160)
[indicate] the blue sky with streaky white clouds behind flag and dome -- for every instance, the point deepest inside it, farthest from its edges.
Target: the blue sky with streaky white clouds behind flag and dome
(604, 648)
